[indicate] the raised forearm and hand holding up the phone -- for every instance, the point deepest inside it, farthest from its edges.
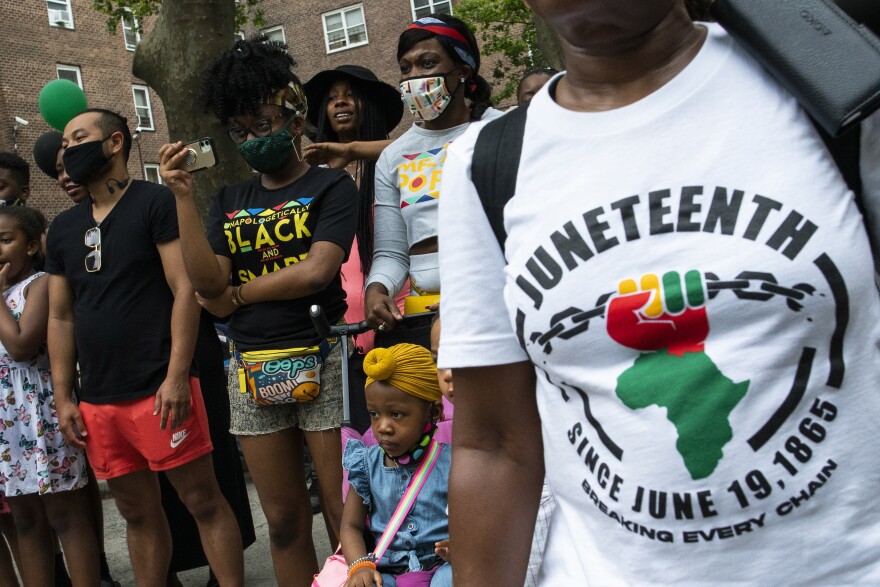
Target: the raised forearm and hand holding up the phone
(208, 274)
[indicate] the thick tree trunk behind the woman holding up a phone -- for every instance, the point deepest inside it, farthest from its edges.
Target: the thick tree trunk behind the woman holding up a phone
(186, 36)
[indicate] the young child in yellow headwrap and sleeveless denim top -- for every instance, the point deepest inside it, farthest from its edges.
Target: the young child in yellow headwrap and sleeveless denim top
(403, 400)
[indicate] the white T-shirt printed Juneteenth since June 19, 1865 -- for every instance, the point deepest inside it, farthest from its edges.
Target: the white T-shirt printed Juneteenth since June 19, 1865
(692, 280)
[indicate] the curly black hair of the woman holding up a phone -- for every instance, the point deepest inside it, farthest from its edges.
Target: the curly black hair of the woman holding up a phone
(239, 78)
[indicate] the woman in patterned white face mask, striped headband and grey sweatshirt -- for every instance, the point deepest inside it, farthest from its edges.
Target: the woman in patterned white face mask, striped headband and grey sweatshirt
(440, 84)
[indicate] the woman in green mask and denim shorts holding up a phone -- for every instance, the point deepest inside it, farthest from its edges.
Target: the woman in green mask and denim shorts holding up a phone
(274, 247)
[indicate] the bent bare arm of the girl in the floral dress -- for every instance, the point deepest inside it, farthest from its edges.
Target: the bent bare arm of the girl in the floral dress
(22, 338)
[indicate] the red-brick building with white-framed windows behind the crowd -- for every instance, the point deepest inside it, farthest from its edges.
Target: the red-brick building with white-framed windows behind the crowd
(48, 39)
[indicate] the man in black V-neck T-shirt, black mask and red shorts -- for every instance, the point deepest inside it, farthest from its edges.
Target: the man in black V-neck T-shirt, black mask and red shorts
(119, 295)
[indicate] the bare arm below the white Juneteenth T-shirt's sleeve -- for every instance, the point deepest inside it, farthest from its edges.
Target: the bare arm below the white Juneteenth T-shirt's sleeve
(498, 459)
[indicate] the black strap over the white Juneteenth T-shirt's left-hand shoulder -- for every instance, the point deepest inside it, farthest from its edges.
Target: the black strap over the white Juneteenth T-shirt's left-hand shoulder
(495, 166)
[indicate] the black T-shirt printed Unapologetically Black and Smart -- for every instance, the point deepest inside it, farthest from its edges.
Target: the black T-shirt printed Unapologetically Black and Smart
(265, 230)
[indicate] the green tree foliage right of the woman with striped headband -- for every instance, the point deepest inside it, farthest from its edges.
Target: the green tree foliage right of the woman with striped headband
(505, 29)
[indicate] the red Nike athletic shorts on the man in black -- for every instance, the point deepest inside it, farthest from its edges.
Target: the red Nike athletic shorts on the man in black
(125, 437)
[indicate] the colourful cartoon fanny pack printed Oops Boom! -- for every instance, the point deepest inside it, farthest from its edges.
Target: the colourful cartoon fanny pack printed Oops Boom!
(283, 376)
